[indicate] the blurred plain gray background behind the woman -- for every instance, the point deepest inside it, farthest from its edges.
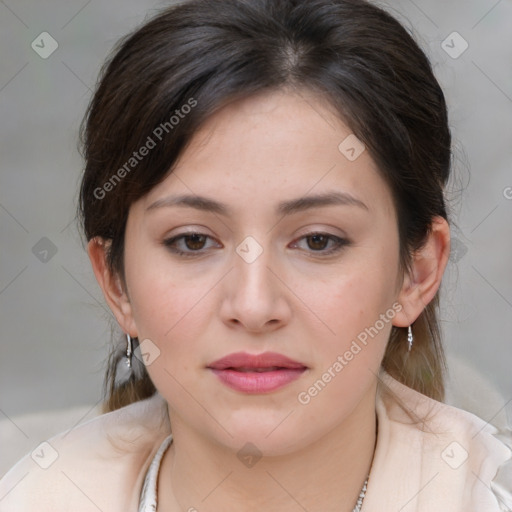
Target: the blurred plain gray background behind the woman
(55, 330)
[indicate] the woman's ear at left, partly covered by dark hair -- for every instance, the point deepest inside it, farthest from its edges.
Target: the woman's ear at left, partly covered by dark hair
(111, 285)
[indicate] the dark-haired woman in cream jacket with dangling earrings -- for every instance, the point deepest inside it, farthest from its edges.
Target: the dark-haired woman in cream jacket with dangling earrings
(264, 210)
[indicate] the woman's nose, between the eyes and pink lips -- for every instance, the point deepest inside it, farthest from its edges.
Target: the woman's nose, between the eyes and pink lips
(256, 297)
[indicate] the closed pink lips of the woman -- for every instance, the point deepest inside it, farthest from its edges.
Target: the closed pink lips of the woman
(278, 370)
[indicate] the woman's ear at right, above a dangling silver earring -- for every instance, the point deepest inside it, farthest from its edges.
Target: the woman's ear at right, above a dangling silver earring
(428, 266)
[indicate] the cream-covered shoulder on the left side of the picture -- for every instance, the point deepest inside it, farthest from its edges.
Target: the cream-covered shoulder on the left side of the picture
(98, 465)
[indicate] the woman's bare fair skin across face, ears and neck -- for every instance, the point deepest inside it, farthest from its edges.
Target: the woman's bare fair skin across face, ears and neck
(251, 155)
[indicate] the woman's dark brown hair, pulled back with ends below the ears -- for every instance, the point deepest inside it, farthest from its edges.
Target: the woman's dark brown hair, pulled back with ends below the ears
(205, 54)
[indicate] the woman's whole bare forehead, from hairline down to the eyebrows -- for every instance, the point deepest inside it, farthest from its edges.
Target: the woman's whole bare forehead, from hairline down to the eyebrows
(272, 147)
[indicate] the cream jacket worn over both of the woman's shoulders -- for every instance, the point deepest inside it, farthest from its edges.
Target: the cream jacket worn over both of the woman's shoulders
(451, 462)
